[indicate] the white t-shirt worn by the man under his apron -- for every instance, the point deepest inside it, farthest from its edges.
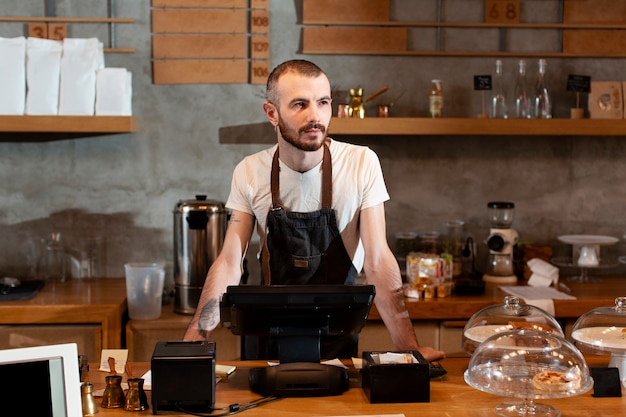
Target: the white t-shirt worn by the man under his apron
(358, 184)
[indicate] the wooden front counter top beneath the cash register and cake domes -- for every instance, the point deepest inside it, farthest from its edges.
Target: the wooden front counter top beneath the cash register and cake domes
(450, 396)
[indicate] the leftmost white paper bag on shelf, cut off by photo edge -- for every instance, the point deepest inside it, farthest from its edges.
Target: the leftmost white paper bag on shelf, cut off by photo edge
(13, 75)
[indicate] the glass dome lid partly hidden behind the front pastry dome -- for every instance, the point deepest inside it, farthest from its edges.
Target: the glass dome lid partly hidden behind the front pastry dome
(511, 315)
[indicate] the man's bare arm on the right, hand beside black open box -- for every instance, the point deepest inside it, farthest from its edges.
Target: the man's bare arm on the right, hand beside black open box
(382, 270)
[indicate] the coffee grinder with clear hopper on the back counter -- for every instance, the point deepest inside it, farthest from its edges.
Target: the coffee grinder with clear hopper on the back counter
(501, 242)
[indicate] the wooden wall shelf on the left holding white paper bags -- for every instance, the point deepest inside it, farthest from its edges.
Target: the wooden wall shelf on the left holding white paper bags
(42, 128)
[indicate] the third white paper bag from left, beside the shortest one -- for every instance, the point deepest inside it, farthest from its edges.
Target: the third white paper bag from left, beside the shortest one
(80, 60)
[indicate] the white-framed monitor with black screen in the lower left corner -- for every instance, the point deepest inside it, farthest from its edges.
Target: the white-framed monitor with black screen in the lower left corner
(43, 381)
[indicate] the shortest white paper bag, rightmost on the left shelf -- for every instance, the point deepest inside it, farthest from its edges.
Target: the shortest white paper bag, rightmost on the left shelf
(114, 92)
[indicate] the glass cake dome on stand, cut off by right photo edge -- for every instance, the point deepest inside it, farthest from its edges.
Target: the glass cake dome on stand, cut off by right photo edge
(602, 331)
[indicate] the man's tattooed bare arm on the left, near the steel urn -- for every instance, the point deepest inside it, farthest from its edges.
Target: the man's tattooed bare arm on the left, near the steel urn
(225, 271)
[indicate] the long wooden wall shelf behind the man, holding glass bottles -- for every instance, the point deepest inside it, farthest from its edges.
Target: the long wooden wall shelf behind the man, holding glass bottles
(411, 126)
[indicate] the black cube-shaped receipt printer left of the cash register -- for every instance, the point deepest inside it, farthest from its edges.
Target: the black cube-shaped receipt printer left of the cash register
(183, 376)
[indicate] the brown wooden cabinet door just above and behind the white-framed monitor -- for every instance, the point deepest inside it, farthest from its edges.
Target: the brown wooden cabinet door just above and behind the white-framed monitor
(88, 337)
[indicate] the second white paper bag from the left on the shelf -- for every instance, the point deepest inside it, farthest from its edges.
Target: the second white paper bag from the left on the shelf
(43, 68)
